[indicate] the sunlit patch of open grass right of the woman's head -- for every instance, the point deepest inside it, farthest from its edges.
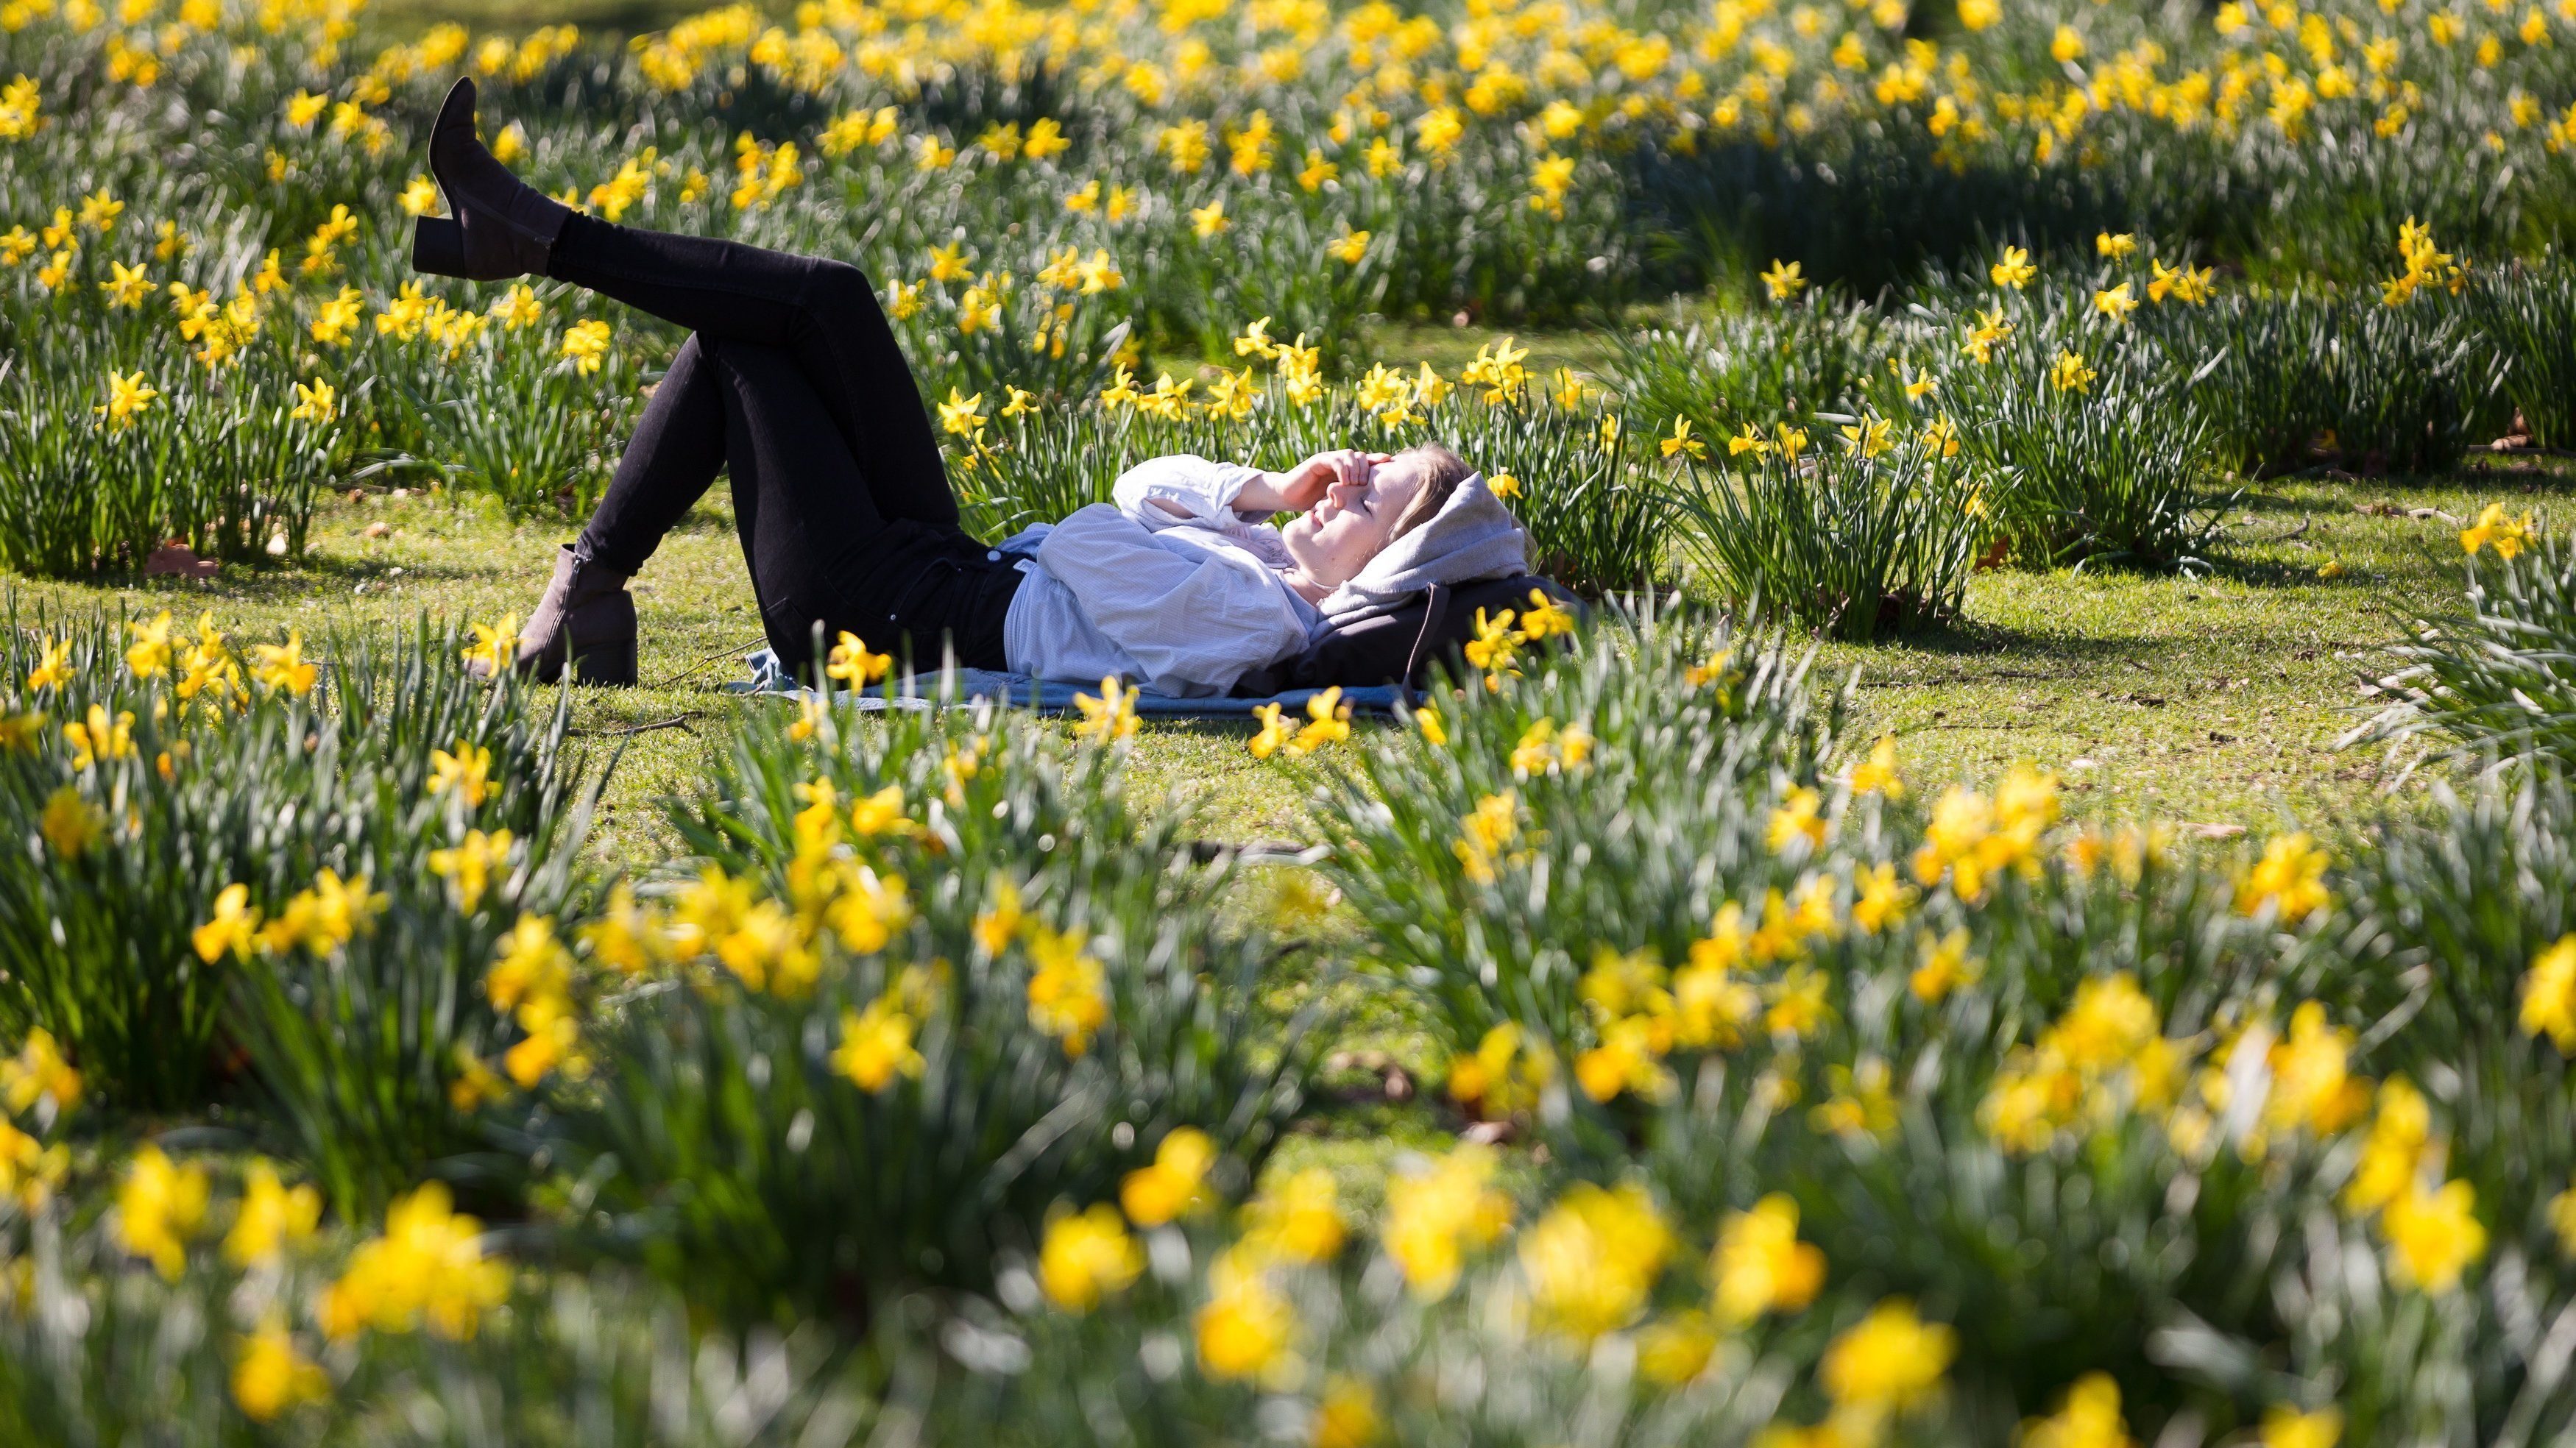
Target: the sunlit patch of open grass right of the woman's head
(2209, 700)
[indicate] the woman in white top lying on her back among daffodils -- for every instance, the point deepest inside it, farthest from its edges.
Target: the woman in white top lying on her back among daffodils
(792, 380)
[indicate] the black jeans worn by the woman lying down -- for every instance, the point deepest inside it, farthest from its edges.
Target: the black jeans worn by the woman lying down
(797, 388)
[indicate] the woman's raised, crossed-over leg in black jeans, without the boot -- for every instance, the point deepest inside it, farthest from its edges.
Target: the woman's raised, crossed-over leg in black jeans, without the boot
(820, 313)
